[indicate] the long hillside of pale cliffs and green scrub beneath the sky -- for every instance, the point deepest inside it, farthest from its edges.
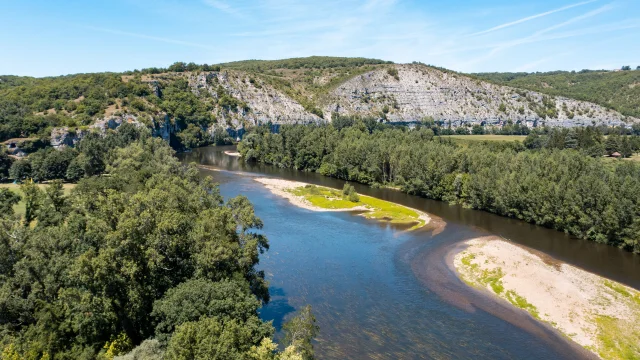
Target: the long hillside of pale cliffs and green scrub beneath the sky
(235, 95)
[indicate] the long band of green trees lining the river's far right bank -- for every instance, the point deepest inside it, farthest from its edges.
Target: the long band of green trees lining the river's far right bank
(564, 189)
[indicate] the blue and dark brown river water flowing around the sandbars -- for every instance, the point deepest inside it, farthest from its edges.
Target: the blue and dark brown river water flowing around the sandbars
(383, 293)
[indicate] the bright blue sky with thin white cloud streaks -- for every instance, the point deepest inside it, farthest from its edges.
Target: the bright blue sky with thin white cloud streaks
(54, 37)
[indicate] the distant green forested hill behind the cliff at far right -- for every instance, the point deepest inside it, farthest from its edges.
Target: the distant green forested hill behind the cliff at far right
(617, 90)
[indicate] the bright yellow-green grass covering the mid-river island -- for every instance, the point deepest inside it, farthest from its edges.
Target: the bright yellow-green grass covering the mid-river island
(380, 210)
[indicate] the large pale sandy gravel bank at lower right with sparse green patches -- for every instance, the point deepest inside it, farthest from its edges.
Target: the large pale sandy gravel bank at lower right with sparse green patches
(600, 315)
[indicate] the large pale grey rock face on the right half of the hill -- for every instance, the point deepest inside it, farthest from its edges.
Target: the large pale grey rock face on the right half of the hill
(417, 92)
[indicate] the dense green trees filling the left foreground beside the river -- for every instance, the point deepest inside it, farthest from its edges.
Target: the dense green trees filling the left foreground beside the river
(143, 257)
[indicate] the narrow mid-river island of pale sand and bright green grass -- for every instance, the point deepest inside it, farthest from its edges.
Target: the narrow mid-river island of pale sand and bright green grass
(320, 198)
